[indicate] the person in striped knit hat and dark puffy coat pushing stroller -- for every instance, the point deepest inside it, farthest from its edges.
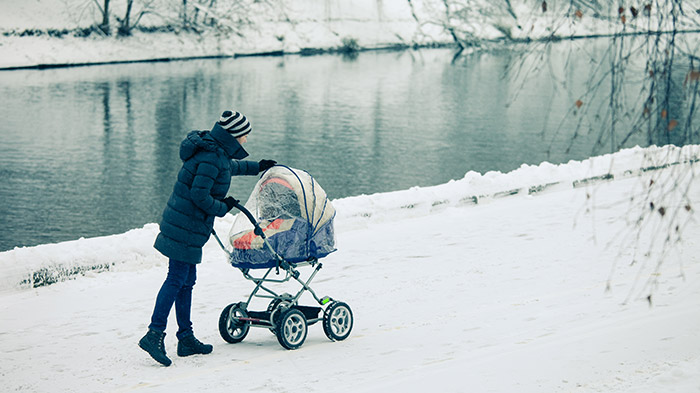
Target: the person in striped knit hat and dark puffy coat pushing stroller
(209, 158)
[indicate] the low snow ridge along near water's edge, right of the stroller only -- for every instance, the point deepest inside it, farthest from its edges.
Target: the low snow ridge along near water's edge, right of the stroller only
(476, 188)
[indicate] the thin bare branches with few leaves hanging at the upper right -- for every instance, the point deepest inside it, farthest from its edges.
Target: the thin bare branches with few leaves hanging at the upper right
(644, 87)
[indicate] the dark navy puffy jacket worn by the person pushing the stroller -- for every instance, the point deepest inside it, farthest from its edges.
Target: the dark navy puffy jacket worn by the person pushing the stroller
(202, 183)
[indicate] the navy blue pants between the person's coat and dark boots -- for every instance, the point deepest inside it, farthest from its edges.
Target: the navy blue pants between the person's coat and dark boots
(177, 289)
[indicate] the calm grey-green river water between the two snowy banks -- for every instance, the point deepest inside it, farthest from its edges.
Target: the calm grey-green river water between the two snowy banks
(94, 151)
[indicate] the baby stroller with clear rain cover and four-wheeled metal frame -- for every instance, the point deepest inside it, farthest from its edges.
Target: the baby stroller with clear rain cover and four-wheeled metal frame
(286, 224)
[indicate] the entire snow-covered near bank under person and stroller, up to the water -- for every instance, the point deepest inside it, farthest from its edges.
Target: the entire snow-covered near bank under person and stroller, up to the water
(504, 295)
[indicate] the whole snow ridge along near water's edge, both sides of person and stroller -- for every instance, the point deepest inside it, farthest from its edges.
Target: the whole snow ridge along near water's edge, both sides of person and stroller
(50, 263)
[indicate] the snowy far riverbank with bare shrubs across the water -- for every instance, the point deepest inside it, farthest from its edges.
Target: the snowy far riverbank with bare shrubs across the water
(52, 33)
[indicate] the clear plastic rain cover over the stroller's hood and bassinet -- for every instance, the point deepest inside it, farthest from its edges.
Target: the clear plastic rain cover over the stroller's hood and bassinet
(294, 213)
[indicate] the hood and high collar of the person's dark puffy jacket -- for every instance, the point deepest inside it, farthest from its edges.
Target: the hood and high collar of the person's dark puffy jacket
(211, 141)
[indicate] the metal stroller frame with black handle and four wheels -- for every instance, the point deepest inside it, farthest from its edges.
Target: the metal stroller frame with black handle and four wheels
(284, 316)
